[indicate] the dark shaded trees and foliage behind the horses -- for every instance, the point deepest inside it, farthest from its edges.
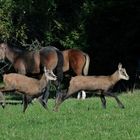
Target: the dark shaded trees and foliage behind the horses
(107, 30)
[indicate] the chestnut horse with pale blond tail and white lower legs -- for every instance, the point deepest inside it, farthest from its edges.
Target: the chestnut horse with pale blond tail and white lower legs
(77, 61)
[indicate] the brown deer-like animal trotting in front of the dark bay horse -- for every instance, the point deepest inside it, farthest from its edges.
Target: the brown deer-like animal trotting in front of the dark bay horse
(28, 86)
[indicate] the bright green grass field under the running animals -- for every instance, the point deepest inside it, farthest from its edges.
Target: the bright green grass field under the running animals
(76, 120)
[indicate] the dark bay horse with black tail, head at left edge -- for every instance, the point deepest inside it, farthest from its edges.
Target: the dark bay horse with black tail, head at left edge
(32, 63)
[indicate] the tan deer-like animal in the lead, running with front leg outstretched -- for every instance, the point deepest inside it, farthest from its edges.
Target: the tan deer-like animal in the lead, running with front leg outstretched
(103, 84)
